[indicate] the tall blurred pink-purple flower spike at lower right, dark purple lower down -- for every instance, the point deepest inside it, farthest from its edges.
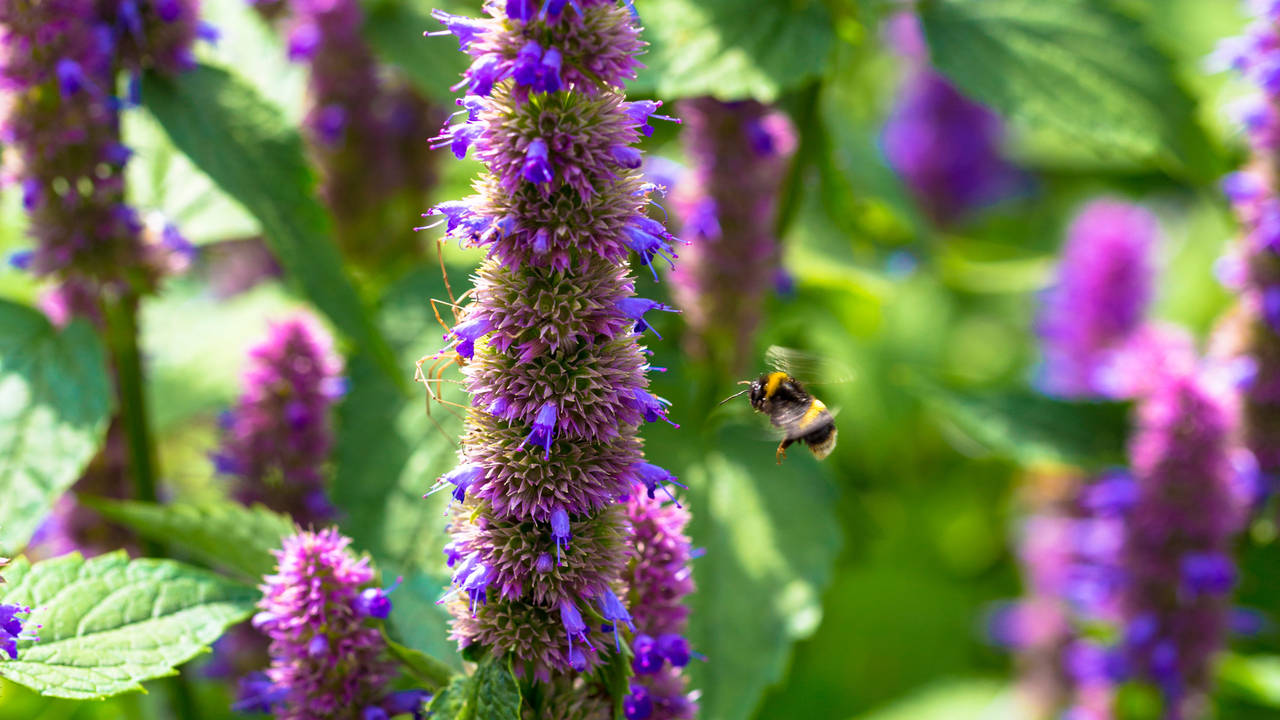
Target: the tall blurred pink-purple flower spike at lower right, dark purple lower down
(1180, 534)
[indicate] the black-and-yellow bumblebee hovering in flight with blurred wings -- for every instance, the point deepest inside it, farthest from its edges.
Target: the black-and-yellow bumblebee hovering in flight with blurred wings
(784, 399)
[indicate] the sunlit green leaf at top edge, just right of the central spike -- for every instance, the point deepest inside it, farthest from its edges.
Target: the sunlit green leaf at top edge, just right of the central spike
(733, 49)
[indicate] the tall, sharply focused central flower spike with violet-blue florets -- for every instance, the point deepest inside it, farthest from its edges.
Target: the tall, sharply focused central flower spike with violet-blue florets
(550, 343)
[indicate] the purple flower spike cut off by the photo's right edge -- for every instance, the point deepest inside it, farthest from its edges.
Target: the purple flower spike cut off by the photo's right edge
(1252, 266)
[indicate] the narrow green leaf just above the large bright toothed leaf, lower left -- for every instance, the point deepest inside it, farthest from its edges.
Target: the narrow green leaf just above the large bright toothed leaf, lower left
(226, 535)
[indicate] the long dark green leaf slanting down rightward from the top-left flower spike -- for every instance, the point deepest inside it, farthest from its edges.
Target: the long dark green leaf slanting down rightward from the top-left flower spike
(248, 148)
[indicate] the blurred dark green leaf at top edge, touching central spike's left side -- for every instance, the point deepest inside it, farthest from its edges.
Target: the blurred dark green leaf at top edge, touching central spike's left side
(395, 30)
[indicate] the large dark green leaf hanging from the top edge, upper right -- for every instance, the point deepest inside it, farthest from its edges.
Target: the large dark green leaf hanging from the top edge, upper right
(1076, 69)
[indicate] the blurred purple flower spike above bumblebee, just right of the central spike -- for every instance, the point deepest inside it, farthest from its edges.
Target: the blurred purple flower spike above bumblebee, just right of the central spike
(728, 208)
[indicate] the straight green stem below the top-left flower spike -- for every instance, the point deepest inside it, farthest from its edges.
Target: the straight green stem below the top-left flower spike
(122, 331)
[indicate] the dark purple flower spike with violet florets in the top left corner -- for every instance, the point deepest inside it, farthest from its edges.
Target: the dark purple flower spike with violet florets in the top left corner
(61, 62)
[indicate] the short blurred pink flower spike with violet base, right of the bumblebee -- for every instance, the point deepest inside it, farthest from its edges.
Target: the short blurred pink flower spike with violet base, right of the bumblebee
(1092, 316)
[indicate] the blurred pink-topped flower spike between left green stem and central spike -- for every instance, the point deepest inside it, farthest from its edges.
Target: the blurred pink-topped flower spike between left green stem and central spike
(278, 438)
